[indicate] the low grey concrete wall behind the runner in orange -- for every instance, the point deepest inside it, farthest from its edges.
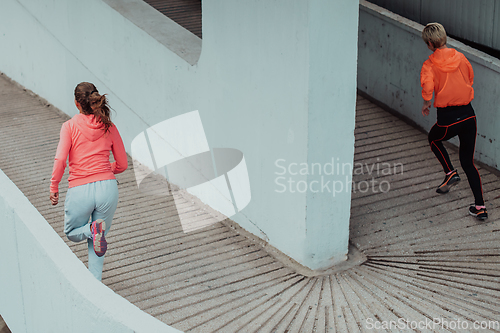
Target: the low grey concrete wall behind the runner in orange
(391, 54)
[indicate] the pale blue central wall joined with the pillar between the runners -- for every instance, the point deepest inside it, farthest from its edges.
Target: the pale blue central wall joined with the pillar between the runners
(275, 80)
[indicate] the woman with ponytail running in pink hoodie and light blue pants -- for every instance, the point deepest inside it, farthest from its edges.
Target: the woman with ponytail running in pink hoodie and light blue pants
(92, 197)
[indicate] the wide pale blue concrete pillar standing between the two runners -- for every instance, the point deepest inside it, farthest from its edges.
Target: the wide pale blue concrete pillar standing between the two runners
(287, 75)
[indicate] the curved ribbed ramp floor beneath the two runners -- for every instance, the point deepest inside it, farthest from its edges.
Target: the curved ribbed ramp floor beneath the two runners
(427, 258)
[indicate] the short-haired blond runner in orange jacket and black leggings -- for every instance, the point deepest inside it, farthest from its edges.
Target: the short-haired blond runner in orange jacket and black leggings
(449, 75)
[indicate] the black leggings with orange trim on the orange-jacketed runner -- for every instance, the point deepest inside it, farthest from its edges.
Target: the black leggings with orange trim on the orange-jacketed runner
(466, 130)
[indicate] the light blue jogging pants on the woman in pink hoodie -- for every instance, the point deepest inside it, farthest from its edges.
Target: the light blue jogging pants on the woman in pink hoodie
(97, 200)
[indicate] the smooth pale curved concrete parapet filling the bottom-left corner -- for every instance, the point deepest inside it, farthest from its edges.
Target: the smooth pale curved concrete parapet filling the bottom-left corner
(46, 288)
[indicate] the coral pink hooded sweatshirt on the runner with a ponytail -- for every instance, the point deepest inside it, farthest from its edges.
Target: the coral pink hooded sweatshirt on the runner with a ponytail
(83, 139)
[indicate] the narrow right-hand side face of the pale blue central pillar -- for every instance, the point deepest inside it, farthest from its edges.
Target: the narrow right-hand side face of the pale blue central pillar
(333, 36)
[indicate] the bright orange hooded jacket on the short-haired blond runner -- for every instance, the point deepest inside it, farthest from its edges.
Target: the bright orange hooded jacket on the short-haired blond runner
(449, 75)
